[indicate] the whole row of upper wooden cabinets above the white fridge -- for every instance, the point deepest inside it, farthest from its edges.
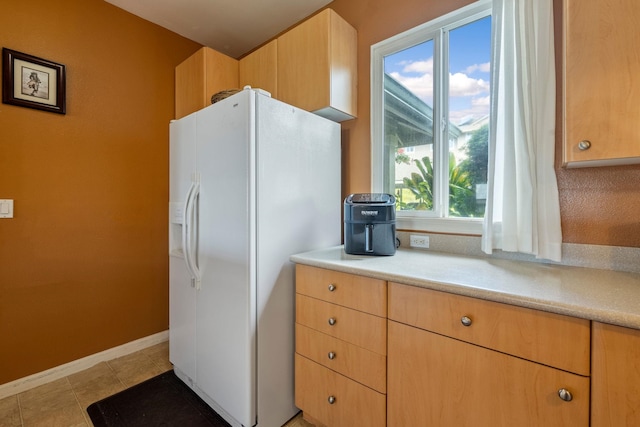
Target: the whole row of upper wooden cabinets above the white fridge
(312, 66)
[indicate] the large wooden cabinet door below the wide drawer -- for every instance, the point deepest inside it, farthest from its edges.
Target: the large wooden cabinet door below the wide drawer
(434, 380)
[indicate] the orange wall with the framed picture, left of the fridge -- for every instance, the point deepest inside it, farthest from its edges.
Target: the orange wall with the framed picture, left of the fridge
(83, 265)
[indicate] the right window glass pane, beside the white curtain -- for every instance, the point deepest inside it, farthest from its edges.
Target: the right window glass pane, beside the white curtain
(468, 101)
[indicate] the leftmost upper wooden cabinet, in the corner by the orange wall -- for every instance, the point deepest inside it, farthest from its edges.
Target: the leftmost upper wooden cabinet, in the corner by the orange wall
(203, 74)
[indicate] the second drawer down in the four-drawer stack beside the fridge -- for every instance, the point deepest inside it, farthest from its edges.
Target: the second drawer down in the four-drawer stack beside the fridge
(358, 328)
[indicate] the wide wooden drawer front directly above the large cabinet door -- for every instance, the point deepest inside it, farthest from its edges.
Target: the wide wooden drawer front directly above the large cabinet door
(551, 339)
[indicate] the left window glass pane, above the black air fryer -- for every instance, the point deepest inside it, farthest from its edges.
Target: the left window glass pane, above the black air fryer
(408, 126)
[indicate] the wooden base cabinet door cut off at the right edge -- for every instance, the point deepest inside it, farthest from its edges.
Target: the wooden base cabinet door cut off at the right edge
(615, 376)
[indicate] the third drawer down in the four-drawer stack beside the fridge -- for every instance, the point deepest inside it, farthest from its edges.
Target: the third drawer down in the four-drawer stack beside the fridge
(357, 363)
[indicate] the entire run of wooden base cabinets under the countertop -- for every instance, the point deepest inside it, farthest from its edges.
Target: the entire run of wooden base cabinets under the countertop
(376, 353)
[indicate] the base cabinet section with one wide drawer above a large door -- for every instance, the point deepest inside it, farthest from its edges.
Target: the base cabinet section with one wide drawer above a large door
(459, 361)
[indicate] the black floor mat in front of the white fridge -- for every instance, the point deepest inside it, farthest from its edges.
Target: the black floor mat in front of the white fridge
(161, 401)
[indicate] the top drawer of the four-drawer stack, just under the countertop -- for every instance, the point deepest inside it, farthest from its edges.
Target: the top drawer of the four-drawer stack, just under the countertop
(349, 290)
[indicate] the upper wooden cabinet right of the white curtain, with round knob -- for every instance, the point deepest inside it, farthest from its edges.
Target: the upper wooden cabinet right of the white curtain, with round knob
(601, 83)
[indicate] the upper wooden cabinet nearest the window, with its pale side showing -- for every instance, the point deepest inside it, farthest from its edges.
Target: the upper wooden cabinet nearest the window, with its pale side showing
(317, 66)
